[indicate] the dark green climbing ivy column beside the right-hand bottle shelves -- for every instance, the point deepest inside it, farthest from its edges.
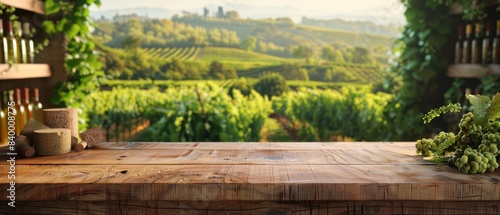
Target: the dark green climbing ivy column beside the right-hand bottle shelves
(418, 75)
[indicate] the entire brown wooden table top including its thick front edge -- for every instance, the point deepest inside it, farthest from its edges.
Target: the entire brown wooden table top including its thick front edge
(246, 171)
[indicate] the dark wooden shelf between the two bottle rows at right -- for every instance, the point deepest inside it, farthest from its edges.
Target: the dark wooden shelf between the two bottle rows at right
(473, 70)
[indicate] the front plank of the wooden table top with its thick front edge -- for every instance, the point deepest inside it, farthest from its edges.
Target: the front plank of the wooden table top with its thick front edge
(251, 182)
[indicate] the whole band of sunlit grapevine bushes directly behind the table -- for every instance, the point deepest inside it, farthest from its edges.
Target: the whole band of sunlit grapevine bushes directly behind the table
(206, 112)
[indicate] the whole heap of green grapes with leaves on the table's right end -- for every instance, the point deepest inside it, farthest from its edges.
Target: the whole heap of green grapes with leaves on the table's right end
(475, 148)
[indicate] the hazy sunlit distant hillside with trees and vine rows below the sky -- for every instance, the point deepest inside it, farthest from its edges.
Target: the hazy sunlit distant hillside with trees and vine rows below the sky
(279, 37)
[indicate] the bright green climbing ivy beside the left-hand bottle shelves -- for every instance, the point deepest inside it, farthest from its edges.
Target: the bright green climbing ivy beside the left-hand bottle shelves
(81, 59)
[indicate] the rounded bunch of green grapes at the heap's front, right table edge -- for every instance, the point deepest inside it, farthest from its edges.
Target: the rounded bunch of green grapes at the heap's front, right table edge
(472, 161)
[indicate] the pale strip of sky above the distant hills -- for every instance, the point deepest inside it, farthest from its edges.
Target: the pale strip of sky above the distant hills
(335, 6)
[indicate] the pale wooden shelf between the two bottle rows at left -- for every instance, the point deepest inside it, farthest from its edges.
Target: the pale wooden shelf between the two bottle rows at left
(24, 71)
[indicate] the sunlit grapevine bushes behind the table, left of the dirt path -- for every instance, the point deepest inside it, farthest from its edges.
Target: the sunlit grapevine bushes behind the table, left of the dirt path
(179, 114)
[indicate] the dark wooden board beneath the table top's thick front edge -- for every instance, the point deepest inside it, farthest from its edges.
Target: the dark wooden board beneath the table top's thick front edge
(253, 207)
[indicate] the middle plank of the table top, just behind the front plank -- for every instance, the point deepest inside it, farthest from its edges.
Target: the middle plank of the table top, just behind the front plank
(229, 157)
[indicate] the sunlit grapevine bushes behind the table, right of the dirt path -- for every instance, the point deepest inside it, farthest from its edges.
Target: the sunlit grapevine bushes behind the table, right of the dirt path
(322, 115)
